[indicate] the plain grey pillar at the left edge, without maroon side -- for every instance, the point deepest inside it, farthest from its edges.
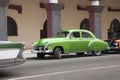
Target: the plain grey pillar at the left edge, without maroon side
(3, 20)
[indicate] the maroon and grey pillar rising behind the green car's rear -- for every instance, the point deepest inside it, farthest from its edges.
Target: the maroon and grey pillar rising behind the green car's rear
(95, 20)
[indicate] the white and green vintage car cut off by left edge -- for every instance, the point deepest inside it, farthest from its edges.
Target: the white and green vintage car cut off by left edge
(11, 53)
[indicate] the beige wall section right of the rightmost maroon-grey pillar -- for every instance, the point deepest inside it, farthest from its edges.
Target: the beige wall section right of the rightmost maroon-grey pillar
(107, 16)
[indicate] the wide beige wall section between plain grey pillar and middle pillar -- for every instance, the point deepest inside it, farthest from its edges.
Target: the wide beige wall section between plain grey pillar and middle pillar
(29, 22)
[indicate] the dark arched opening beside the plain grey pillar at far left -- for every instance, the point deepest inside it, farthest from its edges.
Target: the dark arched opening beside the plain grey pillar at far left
(11, 27)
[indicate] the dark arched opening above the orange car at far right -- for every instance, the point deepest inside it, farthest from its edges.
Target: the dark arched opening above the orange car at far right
(114, 30)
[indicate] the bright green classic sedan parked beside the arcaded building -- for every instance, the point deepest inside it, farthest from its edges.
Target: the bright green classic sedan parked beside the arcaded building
(70, 41)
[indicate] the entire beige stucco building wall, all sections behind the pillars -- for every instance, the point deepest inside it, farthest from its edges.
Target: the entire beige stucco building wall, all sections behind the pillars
(32, 18)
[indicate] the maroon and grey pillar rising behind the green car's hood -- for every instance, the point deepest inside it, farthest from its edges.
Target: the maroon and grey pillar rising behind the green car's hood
(53, 18)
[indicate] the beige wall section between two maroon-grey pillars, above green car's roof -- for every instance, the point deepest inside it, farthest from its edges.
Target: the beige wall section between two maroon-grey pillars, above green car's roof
(71, 17)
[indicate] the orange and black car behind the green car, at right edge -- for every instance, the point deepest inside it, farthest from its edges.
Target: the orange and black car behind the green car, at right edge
(114, 46)
